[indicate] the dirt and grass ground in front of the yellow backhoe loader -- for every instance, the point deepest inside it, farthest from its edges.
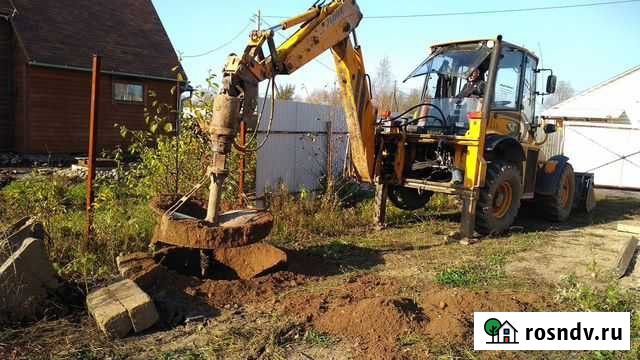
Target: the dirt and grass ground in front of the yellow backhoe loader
(400, 293)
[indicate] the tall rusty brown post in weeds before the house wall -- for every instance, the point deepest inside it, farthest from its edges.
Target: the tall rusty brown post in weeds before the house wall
(91, 161)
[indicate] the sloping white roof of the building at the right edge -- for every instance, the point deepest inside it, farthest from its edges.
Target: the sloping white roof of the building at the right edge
(615, 99)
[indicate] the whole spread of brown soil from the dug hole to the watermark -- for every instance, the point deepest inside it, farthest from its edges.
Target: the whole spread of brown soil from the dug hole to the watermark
(374, 314)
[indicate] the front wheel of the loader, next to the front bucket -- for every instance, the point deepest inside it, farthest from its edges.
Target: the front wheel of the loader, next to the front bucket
(557, 207)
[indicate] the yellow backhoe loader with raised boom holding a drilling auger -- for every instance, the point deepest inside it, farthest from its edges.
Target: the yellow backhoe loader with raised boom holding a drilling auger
(474, 133)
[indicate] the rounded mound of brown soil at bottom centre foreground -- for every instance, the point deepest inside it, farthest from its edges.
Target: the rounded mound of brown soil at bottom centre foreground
(375, 324)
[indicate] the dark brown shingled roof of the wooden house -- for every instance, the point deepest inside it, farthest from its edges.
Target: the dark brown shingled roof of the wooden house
(66, 33)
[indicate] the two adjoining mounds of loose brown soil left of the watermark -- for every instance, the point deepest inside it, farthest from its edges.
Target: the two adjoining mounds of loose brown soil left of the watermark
(369, 313)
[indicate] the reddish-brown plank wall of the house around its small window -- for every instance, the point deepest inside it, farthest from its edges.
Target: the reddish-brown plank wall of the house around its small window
(58, 110)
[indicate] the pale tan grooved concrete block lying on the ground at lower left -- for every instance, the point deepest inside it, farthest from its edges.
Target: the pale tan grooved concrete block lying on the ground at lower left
(120, 307)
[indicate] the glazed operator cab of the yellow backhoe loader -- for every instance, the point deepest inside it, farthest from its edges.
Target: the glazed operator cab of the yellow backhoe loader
(455, 80)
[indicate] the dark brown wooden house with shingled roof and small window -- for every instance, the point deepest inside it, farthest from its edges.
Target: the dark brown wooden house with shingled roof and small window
(46, 49)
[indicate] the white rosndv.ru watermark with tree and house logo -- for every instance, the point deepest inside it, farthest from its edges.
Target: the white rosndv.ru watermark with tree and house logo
(552, 331)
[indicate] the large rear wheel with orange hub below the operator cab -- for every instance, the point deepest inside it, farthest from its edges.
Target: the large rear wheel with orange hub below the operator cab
(499, 199)
